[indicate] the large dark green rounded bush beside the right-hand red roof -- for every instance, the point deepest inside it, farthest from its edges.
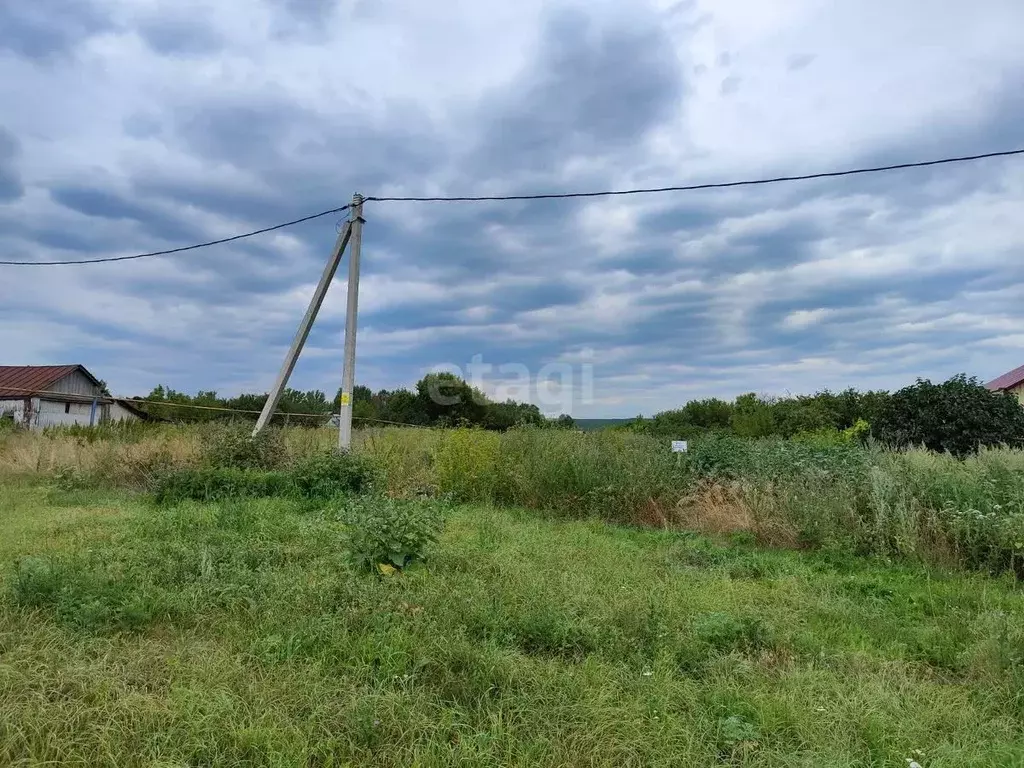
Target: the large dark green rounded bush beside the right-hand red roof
(957, 417)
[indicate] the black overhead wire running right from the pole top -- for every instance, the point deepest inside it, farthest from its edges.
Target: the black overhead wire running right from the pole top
(712, 186)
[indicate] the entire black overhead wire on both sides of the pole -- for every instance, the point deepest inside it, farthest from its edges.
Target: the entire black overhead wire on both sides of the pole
(542, 196)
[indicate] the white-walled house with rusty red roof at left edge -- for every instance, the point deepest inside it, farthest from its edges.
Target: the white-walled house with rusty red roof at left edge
(40, 397)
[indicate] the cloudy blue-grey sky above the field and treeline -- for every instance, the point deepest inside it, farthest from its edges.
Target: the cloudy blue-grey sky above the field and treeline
(137, 125)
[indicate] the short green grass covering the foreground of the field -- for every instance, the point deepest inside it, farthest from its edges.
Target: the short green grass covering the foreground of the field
(236, 634)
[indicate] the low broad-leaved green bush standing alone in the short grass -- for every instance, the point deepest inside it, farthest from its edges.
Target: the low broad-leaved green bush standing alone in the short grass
(391, 532)
